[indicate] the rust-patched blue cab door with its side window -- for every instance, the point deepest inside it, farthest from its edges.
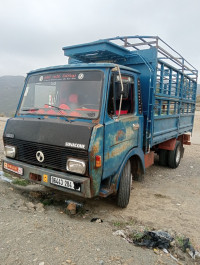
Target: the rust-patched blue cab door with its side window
(121, 134)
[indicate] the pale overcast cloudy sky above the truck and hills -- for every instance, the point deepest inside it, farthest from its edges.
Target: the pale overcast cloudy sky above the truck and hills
(33, 32)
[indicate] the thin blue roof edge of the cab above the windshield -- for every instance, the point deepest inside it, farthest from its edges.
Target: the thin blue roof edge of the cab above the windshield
(82, 65)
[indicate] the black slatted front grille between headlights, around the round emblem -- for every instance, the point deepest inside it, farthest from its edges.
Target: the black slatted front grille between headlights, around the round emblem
(55, 157)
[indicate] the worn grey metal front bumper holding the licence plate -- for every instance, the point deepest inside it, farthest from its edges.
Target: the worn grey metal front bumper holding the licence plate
(46, 176)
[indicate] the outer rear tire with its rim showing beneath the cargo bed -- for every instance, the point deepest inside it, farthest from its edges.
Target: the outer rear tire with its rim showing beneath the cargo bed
(174, 157)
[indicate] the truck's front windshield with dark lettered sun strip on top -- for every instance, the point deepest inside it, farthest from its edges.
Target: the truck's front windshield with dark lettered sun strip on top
(72, 94)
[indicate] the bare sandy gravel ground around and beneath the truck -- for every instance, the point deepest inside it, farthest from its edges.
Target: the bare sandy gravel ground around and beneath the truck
(166, 199)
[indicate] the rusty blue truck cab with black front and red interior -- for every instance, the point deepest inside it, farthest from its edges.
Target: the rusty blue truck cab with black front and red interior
(70, 131)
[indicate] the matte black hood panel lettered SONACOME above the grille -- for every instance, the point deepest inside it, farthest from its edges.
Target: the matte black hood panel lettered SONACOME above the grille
(53, 131)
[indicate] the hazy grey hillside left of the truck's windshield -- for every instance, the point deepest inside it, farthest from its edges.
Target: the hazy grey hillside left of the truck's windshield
(10, 91)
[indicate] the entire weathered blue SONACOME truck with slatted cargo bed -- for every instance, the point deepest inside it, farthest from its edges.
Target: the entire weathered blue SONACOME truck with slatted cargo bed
(91, 126)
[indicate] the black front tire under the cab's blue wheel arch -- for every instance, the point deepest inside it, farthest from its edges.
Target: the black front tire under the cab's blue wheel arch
(123, 193)
